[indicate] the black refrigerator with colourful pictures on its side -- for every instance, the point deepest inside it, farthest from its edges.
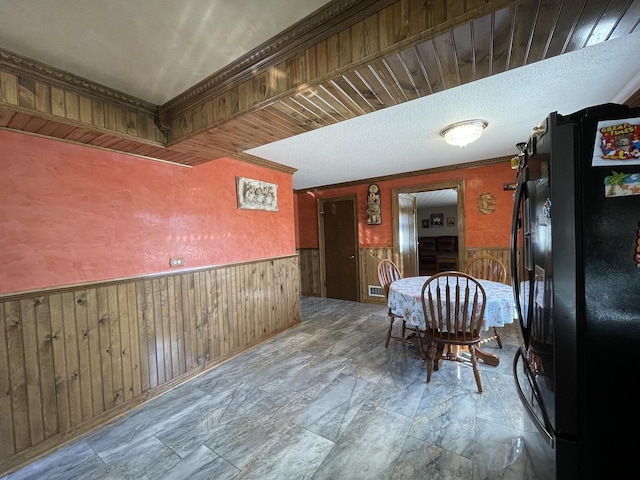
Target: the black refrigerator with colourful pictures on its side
(575, 258)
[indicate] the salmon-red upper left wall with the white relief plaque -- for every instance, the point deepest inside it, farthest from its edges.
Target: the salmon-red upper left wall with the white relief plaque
(71, 214)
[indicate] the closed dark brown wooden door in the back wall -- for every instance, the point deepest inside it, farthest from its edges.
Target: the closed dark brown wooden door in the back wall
(339, 244)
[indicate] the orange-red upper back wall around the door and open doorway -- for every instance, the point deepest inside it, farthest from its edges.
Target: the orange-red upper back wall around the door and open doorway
(481, 230)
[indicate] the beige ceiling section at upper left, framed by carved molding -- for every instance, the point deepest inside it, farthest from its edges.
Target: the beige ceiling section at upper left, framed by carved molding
(154, 49)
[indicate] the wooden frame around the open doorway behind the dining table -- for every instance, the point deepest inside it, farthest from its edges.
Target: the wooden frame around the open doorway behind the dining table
(426, 187)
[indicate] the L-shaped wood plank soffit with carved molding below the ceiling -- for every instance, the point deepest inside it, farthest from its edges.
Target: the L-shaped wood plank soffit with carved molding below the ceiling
(352, 58)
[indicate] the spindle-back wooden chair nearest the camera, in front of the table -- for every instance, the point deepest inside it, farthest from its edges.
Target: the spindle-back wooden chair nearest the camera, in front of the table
(453, 305)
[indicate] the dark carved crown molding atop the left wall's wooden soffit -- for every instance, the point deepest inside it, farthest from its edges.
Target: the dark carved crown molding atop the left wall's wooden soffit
(27, 68)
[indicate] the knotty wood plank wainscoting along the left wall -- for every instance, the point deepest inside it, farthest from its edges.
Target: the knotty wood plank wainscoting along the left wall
(72, 359)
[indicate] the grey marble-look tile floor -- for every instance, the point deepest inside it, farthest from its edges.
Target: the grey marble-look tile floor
(323, 400)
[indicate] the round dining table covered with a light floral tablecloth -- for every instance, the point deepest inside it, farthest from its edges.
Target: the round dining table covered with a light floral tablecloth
(405, 299)
